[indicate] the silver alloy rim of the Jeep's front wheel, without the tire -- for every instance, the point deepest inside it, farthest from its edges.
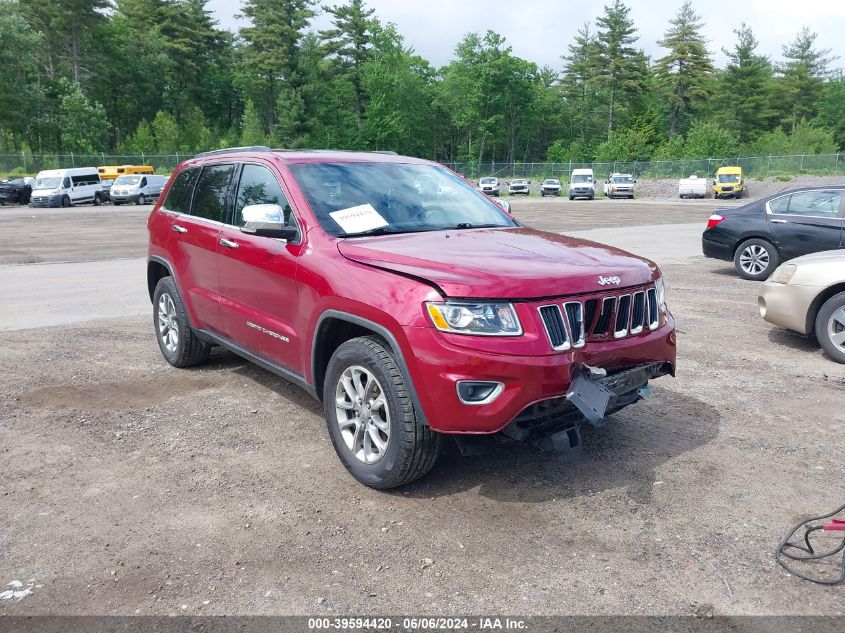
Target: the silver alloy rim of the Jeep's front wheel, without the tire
(363, 415)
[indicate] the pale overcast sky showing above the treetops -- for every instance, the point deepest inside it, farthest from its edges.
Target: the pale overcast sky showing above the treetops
(541, 30)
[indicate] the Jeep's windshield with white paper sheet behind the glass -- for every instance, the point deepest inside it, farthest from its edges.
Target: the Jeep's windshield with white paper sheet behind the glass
(406, 198)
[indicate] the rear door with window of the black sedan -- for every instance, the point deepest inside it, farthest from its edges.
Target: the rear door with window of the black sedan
(807, 221)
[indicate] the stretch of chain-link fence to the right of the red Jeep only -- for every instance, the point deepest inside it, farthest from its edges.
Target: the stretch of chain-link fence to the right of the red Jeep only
(754, 167)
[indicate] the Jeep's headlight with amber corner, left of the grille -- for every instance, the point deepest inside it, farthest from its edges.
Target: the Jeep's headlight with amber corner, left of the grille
(484, 319)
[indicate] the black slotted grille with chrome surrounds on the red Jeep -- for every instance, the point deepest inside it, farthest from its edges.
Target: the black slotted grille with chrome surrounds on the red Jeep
(571, 324)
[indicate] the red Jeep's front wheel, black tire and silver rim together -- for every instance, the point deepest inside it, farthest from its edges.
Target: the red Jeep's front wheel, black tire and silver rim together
(371, 418)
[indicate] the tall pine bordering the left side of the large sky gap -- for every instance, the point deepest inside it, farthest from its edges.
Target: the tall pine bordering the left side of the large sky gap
(350, 44)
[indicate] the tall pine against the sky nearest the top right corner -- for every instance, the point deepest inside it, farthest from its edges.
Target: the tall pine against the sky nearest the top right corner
(801, 80)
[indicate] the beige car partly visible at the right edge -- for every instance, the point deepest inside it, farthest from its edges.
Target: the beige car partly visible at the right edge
(807, 295)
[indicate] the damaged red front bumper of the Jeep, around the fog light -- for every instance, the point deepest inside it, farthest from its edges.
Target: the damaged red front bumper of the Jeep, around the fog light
(438, 366)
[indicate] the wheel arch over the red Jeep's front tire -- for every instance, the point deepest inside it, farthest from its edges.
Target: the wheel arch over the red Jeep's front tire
(334, 328)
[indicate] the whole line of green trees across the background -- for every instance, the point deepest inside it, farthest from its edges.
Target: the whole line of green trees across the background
(160, 76)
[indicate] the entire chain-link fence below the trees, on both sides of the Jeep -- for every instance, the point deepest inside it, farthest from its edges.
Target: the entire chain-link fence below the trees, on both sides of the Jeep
(754, 167)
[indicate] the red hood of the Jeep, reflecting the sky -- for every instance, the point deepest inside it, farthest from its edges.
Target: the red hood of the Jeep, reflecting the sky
(518, 263)
